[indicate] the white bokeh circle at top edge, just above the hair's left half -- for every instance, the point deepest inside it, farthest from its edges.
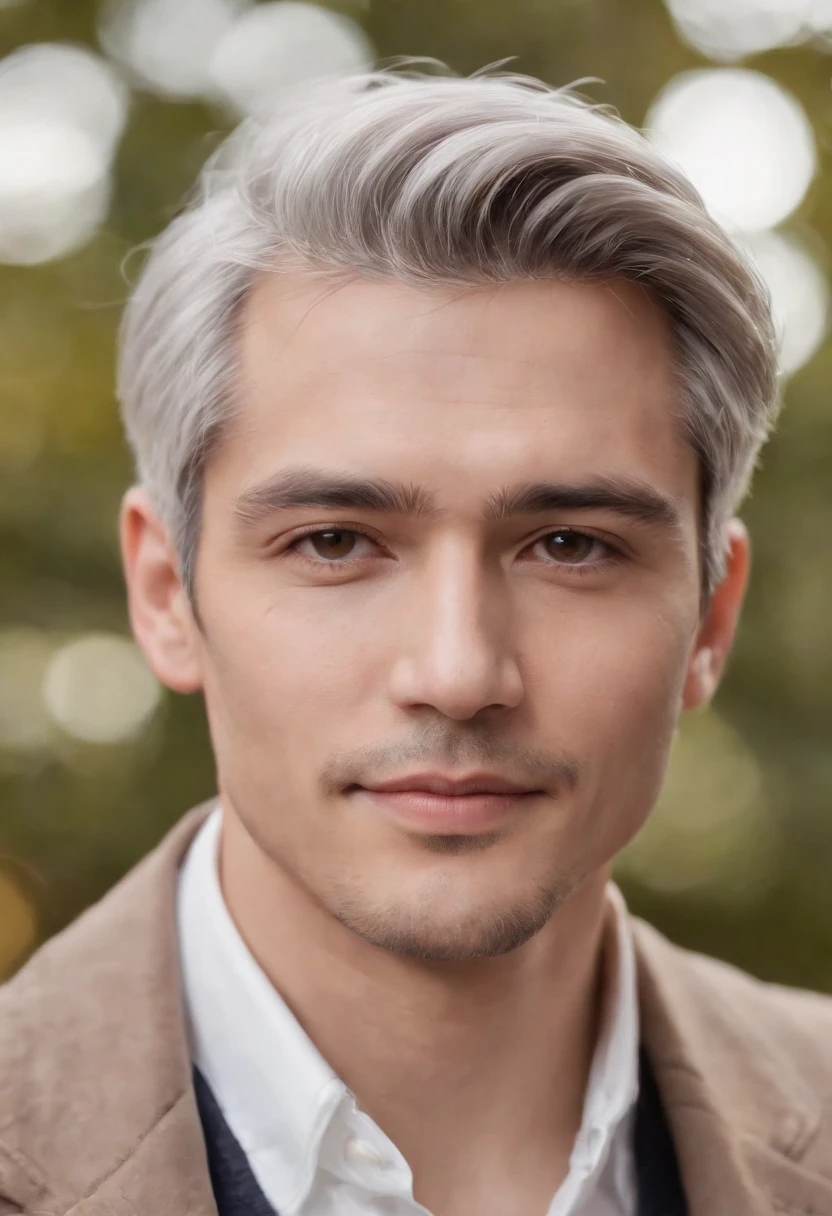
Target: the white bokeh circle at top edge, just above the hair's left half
(282, 44)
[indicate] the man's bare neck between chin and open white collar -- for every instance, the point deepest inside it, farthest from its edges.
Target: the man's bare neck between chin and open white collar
(491, 1057)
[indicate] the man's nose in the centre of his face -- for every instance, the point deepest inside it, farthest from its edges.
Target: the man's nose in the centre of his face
(456, 650)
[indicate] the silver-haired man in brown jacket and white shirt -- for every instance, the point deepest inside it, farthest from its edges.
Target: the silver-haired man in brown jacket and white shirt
(443, 396)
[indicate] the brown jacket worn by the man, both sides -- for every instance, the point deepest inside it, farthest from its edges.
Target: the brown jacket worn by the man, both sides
(98, 1116)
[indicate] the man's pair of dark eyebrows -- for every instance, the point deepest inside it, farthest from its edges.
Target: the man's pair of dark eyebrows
(329, 489)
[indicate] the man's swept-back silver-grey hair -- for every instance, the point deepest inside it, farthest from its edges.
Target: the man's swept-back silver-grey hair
(440, 181)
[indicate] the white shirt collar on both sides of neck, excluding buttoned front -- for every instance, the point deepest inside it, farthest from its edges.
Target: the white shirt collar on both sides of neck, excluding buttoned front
(277, 1091)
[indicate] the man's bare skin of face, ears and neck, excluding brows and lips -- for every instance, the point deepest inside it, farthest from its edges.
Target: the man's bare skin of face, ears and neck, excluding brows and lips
(454, 984)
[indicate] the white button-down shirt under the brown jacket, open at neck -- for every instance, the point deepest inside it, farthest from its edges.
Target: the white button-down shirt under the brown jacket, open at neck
(312, 1150)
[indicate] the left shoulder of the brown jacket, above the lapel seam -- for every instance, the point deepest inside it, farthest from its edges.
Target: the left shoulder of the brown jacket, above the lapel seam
(92, 1017)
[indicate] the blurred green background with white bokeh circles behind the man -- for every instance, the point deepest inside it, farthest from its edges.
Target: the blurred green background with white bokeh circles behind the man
(108, 110)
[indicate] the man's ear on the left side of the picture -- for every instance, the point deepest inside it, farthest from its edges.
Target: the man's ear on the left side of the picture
(160, 611)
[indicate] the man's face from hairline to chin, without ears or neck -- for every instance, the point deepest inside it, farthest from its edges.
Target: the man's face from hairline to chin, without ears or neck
(544, 641)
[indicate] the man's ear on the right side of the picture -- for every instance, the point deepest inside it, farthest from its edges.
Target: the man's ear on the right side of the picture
(716, 637)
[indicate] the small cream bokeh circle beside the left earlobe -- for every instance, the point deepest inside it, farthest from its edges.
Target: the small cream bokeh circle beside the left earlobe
(100, 690)
